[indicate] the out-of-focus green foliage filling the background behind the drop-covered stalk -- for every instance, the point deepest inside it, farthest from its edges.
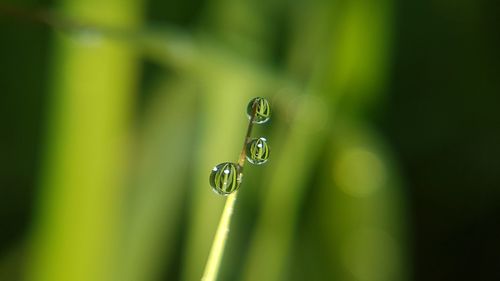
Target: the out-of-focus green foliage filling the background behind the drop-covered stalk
(126, 197)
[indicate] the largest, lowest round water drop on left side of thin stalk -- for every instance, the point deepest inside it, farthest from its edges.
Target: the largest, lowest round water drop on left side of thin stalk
(225, 178)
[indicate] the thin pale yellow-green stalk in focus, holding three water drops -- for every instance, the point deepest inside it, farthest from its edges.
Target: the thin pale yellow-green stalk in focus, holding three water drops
(219, 242)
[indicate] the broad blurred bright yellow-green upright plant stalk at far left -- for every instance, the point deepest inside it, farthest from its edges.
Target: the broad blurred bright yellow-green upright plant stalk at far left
(75, 235)
